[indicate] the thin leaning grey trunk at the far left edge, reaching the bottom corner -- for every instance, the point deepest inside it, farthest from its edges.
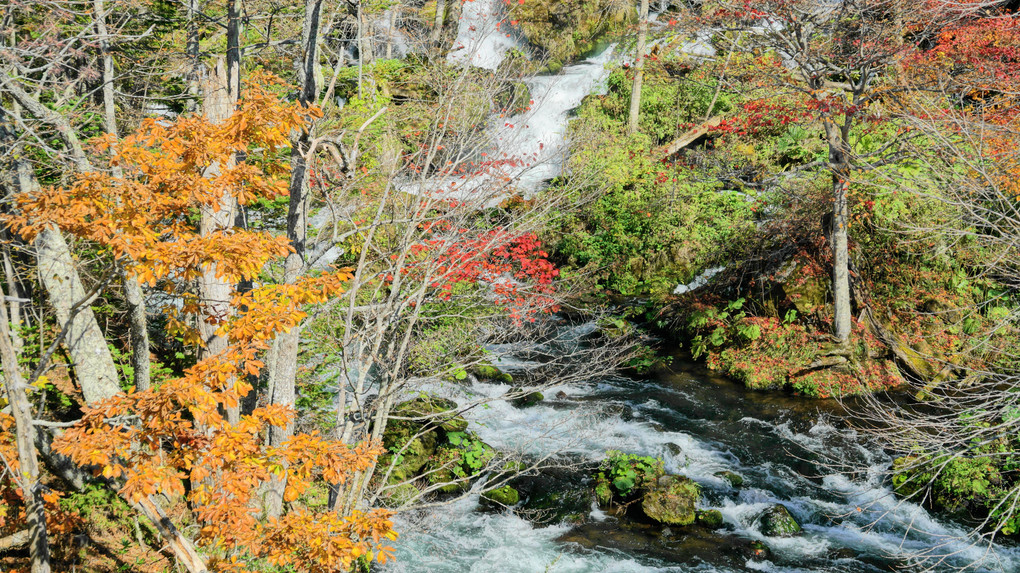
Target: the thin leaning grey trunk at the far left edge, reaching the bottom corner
(28, 479)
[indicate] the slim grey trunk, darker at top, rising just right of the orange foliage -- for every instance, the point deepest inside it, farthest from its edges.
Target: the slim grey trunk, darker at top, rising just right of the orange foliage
(285, 364)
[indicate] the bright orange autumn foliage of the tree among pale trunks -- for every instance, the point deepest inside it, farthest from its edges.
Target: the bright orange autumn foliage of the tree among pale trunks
(175, 438)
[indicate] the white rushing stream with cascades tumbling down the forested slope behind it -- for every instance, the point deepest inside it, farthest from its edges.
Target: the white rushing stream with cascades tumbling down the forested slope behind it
(796, 452)
